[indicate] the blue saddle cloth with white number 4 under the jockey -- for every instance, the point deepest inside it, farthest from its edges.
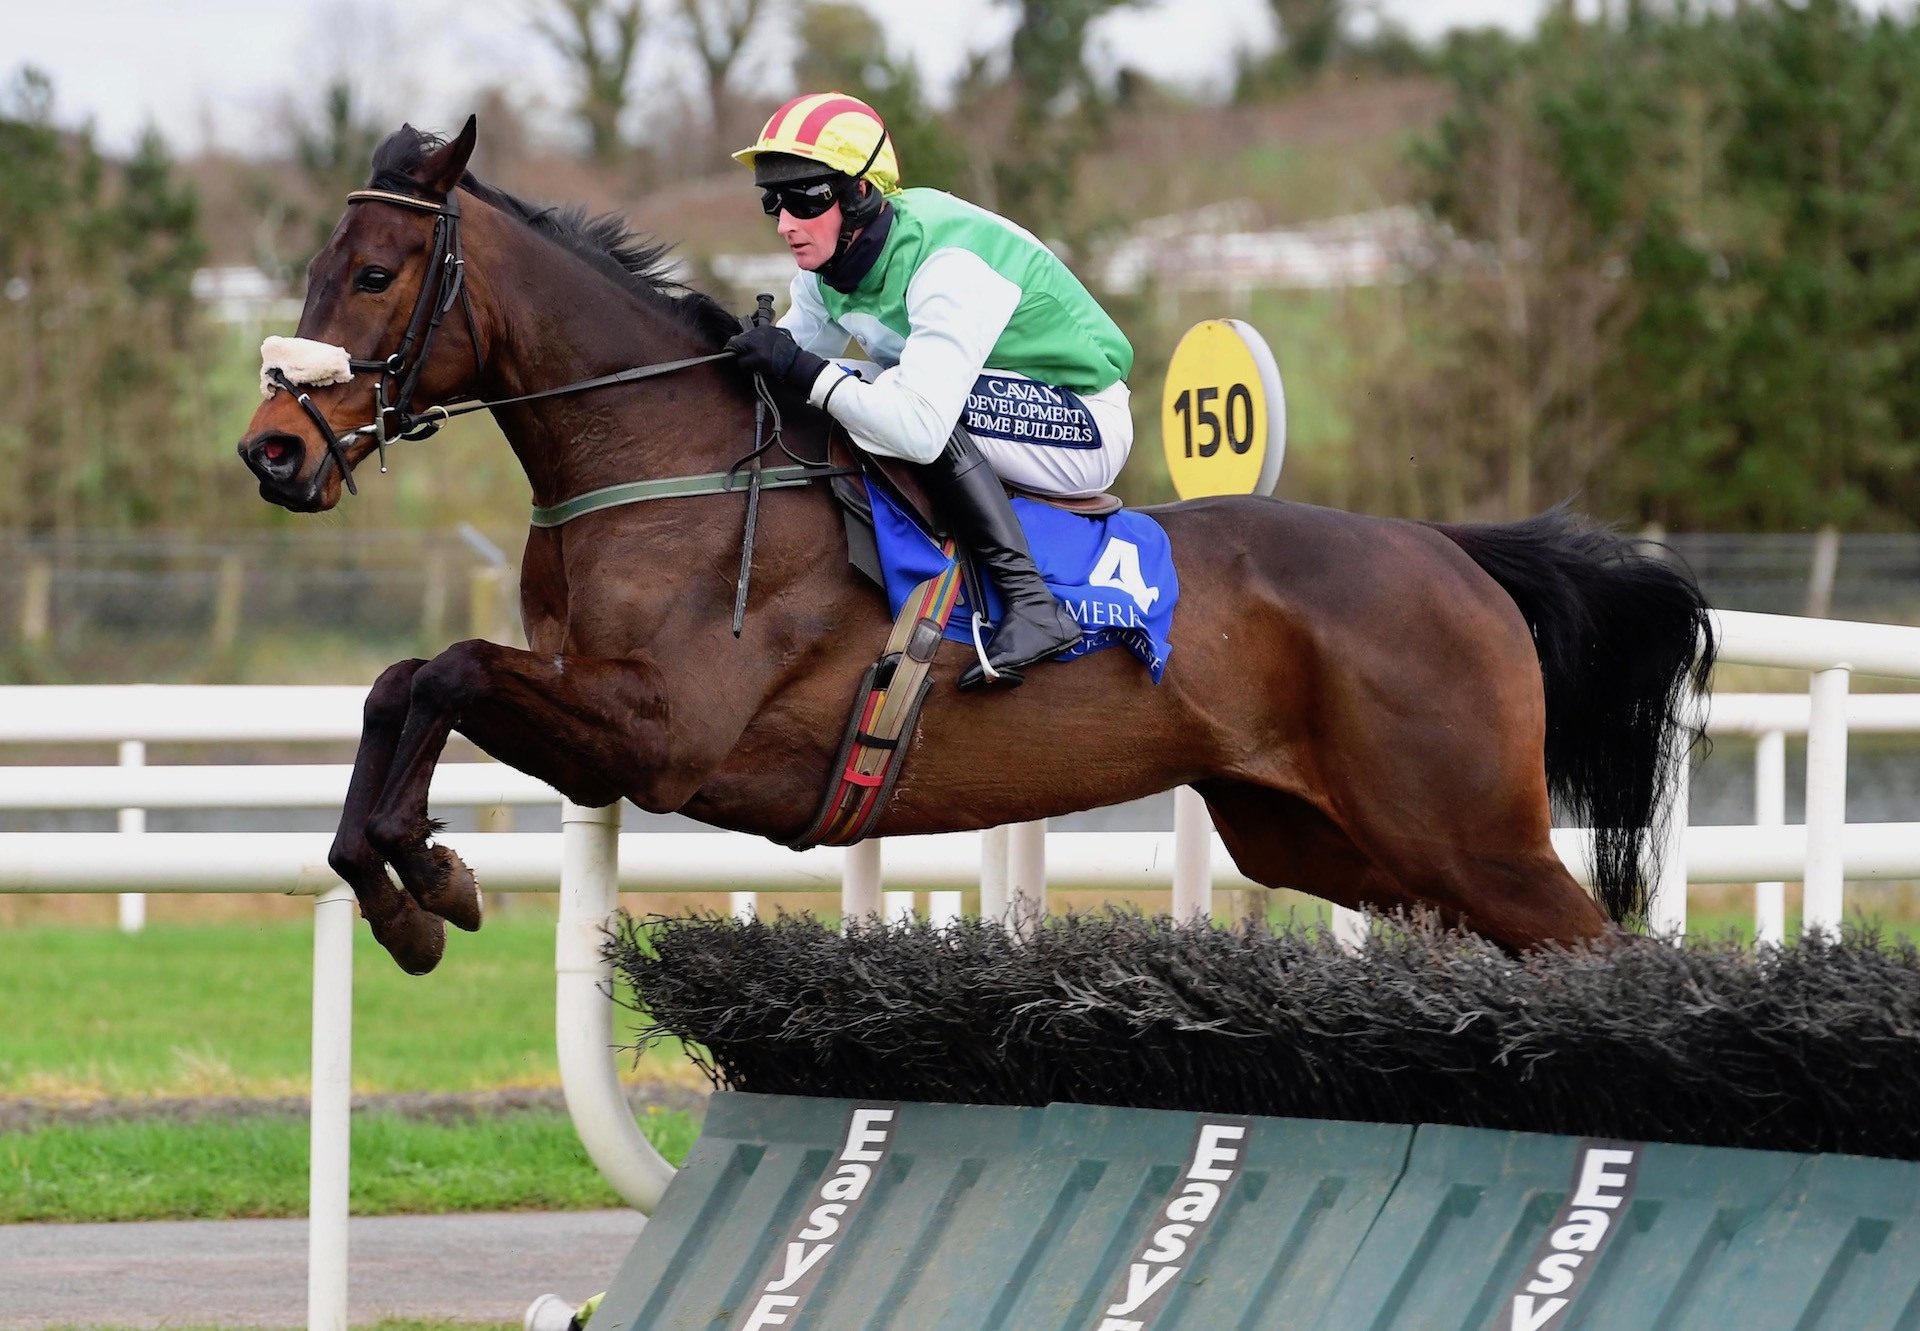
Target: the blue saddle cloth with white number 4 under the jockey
(1115, 573)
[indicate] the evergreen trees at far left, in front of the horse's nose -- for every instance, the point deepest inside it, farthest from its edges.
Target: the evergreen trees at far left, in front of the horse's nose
(103, 420)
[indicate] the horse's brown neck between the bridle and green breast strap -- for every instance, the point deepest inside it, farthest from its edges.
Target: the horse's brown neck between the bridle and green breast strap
(577, 326)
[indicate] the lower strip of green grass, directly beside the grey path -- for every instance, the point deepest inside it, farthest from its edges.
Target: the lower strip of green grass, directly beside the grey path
(258, 1167)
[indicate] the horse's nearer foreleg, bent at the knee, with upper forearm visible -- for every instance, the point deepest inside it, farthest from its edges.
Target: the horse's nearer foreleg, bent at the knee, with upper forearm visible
(587, 727)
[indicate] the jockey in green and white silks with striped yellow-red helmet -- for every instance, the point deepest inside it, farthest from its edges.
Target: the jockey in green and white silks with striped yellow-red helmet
(990, 360)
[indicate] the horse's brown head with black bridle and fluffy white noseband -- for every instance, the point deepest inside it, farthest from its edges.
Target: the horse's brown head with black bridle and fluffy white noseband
(387, 331)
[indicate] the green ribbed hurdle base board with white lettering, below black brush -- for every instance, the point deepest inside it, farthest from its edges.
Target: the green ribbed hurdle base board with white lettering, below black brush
(855, 1217)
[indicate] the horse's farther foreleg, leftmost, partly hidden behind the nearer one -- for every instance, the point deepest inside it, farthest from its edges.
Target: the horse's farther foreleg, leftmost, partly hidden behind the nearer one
(414, 936)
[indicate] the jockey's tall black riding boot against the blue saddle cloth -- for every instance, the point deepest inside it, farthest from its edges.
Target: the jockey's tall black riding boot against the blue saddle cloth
(1034, 625)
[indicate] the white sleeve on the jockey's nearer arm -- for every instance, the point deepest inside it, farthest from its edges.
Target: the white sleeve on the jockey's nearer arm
(957, 308)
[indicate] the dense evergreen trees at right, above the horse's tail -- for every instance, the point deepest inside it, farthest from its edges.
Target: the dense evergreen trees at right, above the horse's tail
(1681, 276)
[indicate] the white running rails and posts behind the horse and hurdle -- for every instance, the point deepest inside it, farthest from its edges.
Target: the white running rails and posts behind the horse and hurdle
(590, 861)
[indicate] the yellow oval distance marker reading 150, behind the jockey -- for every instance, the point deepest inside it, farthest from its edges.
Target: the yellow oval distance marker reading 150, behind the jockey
(1224, 414)
